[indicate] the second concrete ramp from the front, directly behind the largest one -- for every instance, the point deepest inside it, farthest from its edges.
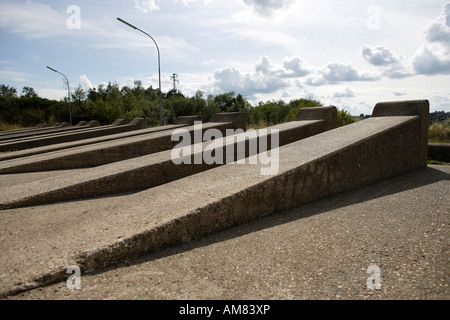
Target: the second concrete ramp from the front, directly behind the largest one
(156, 169)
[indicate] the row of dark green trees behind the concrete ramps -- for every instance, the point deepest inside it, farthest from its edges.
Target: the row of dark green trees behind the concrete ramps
(107, 103)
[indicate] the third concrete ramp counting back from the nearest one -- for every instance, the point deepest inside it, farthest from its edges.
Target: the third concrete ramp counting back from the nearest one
(103, 153)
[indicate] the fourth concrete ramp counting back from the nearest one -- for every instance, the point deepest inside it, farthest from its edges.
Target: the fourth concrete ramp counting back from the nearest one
(60, 146)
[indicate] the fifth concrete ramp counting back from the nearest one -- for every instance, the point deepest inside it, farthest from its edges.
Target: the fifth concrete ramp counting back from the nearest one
(86, 132)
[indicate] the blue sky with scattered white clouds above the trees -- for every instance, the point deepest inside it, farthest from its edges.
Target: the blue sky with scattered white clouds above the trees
(347, 53)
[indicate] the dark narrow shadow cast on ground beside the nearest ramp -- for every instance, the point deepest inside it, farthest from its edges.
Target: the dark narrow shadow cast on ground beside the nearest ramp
(405, 182)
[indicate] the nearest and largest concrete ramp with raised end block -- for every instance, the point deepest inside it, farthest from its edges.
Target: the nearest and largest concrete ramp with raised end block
(39, 244)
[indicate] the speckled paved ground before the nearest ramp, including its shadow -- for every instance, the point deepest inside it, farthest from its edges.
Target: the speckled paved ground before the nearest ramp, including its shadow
(317, 251)
